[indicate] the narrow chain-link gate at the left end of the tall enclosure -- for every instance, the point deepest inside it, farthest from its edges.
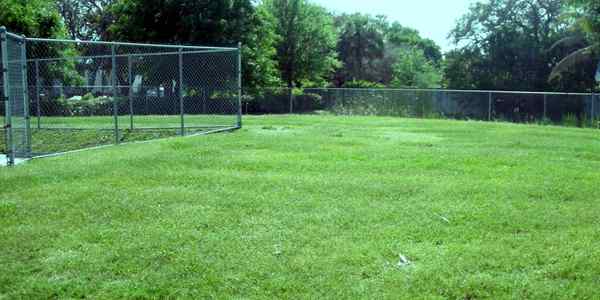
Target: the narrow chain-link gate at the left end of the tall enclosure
(15, 95)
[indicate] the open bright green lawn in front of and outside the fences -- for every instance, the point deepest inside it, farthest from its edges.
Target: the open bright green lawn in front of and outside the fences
(312, 207)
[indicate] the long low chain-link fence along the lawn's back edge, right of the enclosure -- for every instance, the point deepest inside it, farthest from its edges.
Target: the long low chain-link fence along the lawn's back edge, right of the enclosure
(572, 109)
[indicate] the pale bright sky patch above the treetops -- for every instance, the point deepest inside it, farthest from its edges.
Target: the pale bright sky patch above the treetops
(432, 18)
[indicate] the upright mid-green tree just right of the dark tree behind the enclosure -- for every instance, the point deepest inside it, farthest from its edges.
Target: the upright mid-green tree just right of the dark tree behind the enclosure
(306, 48)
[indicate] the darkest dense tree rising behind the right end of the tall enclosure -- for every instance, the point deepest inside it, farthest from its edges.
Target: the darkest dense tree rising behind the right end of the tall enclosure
(205, 22)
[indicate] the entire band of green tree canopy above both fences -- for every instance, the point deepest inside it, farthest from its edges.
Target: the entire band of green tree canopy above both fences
(499, 44)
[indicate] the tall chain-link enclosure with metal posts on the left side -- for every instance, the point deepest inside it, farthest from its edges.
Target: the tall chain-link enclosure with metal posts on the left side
(66, 95)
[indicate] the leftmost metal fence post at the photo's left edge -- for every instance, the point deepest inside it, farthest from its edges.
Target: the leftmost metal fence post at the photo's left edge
(7, 101)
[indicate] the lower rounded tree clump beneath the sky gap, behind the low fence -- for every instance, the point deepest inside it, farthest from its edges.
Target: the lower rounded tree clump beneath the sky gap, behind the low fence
(375, 50)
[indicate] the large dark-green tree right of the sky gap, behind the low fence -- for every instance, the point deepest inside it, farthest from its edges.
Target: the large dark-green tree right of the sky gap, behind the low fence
(504, 44)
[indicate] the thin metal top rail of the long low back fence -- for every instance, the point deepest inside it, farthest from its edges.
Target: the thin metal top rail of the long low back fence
(446, 90)
